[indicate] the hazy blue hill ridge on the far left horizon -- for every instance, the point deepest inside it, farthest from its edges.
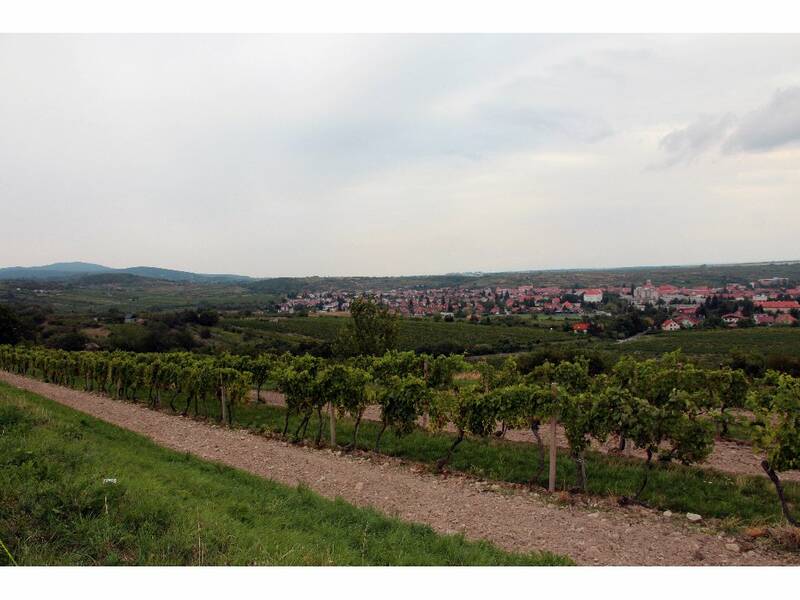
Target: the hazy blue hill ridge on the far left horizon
(71, 270)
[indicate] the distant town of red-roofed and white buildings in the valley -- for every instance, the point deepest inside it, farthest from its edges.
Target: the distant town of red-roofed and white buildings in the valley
(765, 302)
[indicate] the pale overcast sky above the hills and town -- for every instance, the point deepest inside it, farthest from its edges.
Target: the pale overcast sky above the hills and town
(296, 155)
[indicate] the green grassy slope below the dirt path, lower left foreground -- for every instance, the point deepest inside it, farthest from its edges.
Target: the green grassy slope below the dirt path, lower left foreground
(169, 508)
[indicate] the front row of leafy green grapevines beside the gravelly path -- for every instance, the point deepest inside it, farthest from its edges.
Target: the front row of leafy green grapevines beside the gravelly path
(668, 407)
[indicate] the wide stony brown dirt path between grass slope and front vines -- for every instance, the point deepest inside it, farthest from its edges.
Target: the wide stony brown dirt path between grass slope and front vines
(510, 518)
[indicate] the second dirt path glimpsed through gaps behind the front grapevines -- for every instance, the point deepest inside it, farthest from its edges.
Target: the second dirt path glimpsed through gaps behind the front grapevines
(731, 457)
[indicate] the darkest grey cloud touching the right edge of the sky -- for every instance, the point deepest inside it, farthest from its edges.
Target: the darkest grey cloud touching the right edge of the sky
(772, 126)
